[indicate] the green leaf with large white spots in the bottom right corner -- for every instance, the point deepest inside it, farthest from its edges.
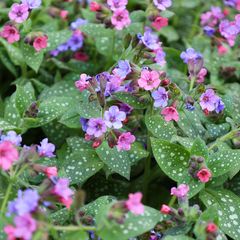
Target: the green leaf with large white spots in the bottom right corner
(228, 205)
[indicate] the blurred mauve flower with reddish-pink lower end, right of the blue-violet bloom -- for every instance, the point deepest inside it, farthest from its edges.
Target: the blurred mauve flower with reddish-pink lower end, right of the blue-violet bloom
(62, 190)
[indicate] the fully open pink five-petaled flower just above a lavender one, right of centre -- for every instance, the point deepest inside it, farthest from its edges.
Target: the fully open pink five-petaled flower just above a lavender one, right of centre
(149, 80)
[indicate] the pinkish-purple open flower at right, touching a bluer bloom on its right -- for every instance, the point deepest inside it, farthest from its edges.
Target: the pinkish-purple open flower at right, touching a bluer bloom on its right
(208, 100)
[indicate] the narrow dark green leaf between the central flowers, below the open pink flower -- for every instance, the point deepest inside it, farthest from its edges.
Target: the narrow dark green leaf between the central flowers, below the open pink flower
(130, 100)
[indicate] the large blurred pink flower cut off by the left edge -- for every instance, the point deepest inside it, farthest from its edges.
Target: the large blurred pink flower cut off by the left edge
(8, 155)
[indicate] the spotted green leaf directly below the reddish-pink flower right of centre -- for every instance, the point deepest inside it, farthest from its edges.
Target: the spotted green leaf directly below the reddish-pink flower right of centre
(160, 128)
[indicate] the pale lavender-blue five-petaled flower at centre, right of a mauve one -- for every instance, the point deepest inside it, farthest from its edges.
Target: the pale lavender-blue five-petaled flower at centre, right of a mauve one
(114, 117)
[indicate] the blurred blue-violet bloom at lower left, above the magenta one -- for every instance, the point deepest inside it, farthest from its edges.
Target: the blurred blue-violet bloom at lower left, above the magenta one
(26, 202)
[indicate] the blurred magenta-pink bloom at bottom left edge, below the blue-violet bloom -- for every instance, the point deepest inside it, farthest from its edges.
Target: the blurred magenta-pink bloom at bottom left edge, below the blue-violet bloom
(24, 228)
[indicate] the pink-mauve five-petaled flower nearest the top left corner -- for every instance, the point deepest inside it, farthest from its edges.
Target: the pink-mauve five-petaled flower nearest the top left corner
(18, 13)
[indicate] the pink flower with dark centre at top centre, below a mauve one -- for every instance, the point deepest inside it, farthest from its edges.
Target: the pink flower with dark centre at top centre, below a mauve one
(120, 19)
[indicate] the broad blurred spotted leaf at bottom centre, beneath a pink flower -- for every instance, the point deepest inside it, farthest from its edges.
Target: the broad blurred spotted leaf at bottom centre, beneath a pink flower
(133, 225)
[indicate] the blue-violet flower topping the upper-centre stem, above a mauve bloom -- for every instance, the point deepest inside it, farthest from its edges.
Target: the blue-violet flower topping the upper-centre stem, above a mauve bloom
(149, 39)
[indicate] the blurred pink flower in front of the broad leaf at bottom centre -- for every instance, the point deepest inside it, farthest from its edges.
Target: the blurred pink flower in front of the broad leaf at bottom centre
(134, 204)
